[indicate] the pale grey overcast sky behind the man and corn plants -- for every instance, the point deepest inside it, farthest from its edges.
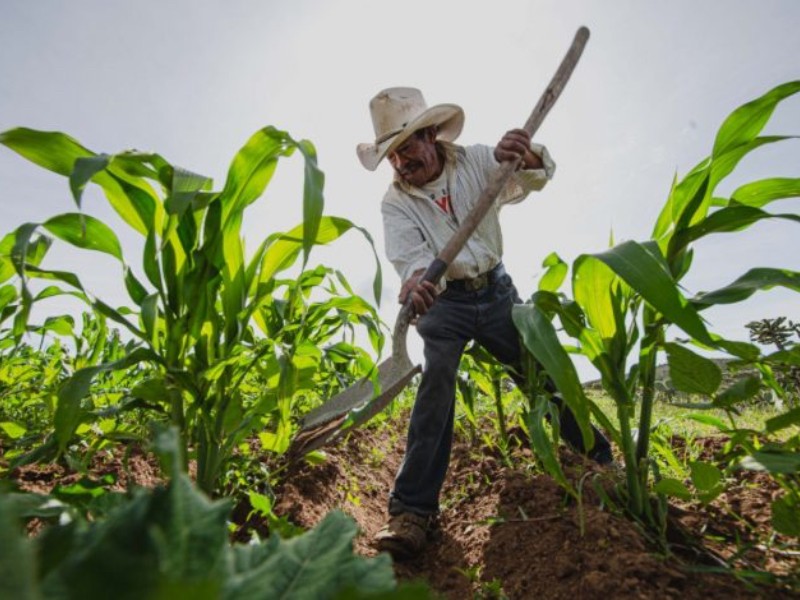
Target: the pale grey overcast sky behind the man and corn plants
(192, 80)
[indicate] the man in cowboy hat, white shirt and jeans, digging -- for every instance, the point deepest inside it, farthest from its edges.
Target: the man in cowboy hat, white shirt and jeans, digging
(436, 184)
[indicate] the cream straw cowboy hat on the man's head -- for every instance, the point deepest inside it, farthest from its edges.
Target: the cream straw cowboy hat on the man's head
(397, 113)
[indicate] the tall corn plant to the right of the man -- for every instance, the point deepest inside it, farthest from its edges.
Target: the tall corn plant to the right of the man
(627, 297)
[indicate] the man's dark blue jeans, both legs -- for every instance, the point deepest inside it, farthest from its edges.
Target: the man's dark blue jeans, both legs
(457, 317)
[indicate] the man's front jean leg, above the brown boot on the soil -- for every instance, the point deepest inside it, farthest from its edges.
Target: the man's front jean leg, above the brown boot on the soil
(430, 433)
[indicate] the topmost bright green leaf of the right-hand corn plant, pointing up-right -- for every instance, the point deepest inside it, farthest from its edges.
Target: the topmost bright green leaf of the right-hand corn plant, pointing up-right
(747, 121)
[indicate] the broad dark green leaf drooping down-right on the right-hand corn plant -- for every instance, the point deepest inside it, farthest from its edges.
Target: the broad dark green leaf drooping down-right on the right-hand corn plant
(645, 272)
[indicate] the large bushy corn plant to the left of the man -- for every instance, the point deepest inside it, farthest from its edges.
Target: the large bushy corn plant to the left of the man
(199, 305)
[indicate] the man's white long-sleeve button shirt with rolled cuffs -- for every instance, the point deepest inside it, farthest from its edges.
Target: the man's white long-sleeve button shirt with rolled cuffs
(416, 228)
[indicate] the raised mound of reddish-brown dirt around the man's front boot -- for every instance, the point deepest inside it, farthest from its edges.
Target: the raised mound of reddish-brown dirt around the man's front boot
(507, 530)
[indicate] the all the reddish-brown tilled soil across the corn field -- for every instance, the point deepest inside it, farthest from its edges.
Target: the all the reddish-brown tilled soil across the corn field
(507, 530)
